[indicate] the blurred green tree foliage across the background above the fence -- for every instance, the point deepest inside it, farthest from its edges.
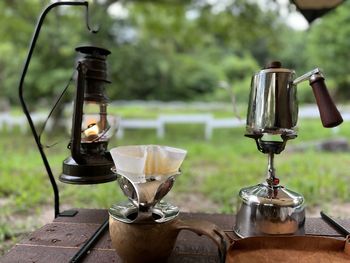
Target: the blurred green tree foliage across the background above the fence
(170, 50)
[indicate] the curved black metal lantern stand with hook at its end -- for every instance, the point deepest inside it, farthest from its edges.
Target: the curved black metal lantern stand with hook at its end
(21, 82)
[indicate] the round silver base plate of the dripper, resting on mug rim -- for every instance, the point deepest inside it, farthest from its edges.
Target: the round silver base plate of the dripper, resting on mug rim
(128, 212)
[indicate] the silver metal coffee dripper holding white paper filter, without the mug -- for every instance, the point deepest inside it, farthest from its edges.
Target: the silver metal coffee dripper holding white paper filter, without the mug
(146, 174)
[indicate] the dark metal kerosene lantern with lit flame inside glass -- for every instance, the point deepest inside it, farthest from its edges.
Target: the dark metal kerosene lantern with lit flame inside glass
(90, 162)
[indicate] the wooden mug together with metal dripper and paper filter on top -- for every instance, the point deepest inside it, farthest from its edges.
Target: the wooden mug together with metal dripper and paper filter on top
(144, 228)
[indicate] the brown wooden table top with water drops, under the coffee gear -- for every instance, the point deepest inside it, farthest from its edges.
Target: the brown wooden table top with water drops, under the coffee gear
(61, 239)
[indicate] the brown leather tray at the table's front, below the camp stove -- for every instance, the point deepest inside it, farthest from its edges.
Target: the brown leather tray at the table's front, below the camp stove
(297, 249)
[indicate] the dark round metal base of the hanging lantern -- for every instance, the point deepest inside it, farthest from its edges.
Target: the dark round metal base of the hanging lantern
(74, 173)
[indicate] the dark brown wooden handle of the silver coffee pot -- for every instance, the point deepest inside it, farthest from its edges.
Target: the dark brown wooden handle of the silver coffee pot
(330, 116)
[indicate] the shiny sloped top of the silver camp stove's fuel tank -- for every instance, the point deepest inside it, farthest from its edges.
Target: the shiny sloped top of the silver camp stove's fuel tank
(279, 196)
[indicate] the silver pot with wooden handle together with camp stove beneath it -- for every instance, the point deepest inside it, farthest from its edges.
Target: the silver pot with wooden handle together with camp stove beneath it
(269, 208)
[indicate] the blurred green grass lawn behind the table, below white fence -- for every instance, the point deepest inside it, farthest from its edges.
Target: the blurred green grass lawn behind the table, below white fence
(217, 169)
